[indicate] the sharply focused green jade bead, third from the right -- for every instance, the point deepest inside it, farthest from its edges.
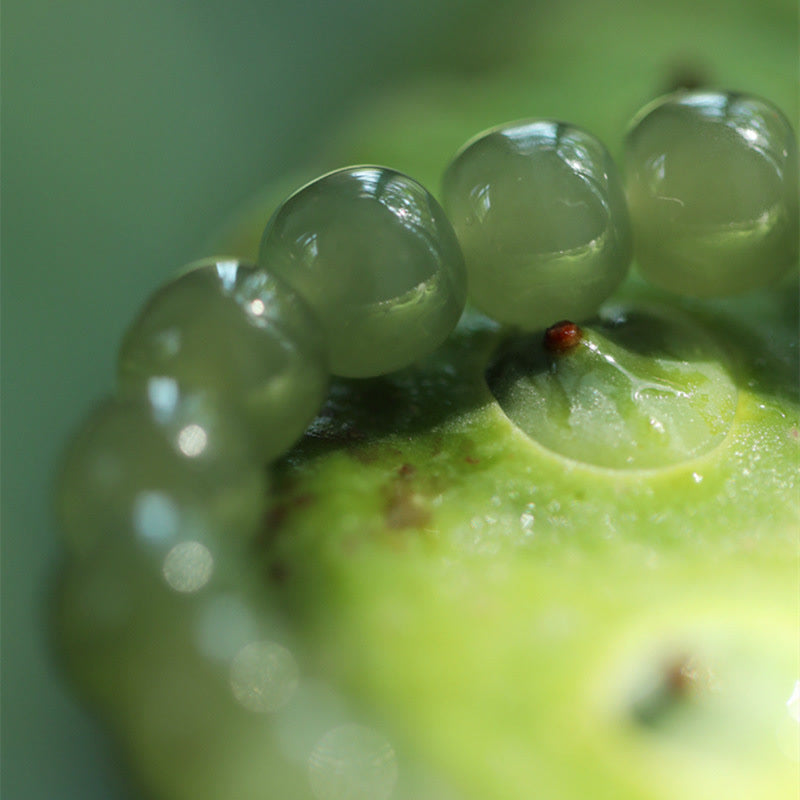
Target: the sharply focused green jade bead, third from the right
(373, 253)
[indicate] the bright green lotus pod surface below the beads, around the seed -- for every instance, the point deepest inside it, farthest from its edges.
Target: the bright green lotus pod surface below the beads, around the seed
(488, 596)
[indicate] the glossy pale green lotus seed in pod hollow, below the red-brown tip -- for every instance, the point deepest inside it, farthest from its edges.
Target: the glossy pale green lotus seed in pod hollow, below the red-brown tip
(643, 393)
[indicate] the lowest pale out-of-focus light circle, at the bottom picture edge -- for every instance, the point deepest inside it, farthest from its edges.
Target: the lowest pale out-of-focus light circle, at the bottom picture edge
(352, 762)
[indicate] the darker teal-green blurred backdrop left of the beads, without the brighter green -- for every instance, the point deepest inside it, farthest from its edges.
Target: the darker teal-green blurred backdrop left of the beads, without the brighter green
(129, 131)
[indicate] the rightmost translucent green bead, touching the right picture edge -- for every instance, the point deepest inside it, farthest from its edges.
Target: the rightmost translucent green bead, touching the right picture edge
(712, 182)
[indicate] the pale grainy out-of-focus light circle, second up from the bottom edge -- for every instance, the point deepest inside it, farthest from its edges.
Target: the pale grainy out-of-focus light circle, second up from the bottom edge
(264, 676)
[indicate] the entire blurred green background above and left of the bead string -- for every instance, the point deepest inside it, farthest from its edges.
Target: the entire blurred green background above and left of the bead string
(130, 131)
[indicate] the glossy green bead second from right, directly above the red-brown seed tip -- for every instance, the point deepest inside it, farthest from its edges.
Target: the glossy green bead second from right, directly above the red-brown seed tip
(541, 217)
